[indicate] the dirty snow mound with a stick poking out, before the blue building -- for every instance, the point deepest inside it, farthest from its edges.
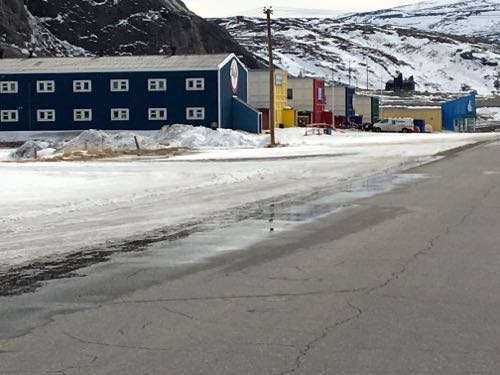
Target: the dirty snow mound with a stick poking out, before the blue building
(100, 140)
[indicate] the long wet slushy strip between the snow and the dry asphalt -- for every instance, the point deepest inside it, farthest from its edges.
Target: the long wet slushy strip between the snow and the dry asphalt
(92, 276)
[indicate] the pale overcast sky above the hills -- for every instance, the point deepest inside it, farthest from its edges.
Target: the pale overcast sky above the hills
(218, 8)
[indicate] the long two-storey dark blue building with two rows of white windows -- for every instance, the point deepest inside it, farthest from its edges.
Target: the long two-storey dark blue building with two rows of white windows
(125, 93)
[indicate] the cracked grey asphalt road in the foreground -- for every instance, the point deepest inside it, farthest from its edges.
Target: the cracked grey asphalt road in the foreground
(406, 282)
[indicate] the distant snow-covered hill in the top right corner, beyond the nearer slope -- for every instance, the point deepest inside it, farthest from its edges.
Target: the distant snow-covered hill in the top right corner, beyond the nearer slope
(474, 18)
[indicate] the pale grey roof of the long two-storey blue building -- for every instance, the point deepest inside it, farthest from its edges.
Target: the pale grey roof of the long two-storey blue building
(114, 63)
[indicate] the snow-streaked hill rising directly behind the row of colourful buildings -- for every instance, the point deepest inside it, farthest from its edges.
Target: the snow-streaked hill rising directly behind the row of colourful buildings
(312, 47)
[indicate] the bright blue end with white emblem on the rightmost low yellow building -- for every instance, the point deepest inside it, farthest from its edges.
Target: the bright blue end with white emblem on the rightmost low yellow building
(460, 114)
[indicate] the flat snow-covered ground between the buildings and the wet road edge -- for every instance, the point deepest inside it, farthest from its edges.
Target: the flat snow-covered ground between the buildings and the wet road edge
(53, 208)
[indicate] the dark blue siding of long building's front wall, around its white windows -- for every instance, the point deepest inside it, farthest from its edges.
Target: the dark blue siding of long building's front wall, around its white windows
(138, 99)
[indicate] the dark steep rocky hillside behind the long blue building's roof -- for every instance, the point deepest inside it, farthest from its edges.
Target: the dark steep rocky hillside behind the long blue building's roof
(68, 27)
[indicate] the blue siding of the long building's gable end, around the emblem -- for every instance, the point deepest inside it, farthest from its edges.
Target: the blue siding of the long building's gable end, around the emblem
(226, 93)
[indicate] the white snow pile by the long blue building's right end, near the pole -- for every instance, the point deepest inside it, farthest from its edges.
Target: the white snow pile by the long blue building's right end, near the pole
(197, 137)
